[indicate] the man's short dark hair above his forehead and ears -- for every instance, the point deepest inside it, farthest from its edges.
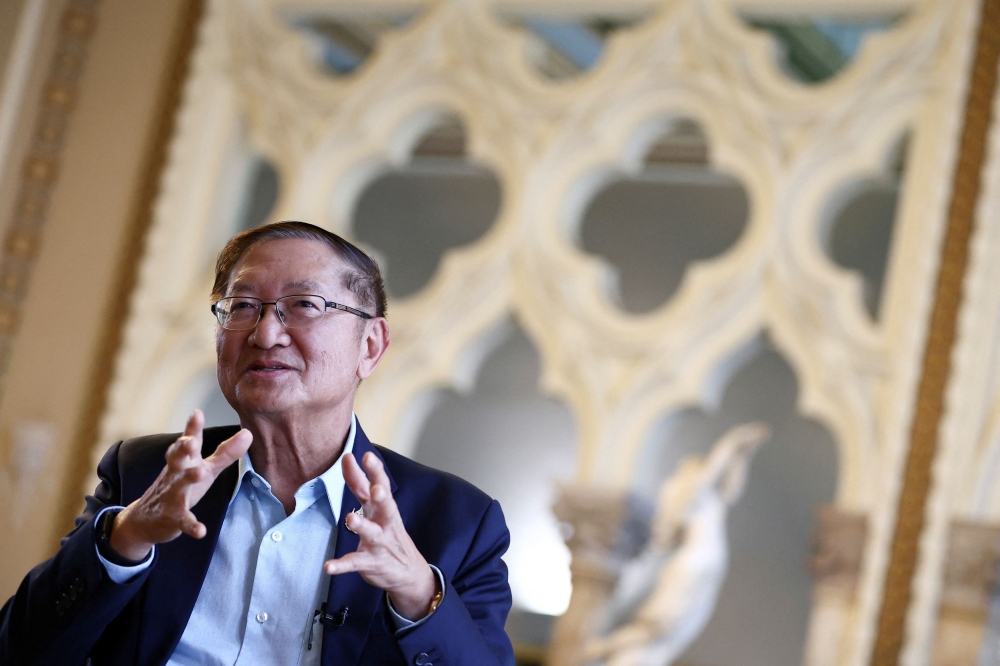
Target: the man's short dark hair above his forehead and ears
(364, 281)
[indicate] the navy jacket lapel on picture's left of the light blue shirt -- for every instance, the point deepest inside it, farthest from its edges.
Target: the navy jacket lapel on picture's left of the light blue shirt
(178, 574)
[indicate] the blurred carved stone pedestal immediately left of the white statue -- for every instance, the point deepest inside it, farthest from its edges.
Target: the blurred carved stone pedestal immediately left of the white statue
(603, 528)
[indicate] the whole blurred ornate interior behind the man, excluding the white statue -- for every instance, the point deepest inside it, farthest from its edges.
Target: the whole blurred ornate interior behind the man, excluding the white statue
(610, 229)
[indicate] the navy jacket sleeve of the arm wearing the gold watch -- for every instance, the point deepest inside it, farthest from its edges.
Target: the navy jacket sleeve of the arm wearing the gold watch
(468, 626)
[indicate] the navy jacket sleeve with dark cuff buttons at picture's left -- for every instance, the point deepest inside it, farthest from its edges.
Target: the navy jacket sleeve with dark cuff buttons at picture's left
(64, 604)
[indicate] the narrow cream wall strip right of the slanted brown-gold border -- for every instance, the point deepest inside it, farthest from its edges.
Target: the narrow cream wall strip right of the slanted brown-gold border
(966, 474)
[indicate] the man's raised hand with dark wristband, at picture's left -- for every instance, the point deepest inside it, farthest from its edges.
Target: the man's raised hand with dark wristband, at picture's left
(164, 510)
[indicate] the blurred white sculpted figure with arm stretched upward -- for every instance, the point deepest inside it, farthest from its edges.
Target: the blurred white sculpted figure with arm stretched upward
(688, 555)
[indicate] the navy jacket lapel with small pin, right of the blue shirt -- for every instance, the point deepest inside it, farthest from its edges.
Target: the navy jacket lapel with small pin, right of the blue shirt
(343, 645)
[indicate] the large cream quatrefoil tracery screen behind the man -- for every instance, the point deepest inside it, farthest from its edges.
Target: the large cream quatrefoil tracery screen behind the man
(551, 146)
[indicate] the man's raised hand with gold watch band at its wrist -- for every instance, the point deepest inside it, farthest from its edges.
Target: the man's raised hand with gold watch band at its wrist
(386, 556)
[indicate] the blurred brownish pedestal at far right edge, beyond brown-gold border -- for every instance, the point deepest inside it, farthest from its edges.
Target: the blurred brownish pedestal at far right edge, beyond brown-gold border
(969, 579)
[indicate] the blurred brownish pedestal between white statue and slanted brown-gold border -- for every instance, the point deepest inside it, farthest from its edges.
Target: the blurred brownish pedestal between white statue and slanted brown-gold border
(838, 547)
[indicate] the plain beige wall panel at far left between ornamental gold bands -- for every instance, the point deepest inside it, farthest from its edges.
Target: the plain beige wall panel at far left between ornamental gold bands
(93, 204)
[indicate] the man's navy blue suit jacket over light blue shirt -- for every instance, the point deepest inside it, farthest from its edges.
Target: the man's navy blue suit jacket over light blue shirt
(67, 609)
